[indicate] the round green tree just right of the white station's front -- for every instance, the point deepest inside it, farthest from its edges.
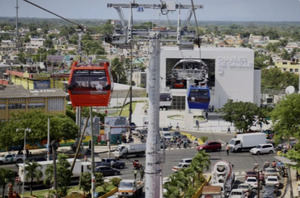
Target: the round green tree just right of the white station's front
(243, 114)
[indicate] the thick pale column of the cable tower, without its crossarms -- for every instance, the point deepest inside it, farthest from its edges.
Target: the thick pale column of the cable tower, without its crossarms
(152, 170)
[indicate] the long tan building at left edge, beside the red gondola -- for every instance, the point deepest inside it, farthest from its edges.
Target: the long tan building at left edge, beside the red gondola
(15, 98)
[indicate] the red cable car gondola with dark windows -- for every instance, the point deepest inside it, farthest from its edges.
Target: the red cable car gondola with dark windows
(90, 85)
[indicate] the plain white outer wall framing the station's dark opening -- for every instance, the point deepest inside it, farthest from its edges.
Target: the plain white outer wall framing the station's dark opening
(234, 71)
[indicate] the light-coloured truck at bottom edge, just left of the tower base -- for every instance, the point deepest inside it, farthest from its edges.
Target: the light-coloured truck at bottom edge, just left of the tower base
(130, 188)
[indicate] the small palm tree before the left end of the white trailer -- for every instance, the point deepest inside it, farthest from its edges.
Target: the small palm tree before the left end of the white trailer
(33, 172)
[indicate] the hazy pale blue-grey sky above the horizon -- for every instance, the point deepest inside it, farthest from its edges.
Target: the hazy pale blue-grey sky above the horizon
(214, 10)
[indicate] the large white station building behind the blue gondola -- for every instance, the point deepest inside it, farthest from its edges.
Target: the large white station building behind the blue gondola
(231, 74)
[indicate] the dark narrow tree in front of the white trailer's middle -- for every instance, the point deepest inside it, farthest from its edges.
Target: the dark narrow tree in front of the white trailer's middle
(64, 175)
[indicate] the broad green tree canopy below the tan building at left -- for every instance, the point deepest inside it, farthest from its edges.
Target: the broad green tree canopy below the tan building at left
(61, 127)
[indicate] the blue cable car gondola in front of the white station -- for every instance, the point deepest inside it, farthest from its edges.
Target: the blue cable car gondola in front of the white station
(198, 97)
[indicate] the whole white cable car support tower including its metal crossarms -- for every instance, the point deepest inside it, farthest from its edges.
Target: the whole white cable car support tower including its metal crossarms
(123, 38)
